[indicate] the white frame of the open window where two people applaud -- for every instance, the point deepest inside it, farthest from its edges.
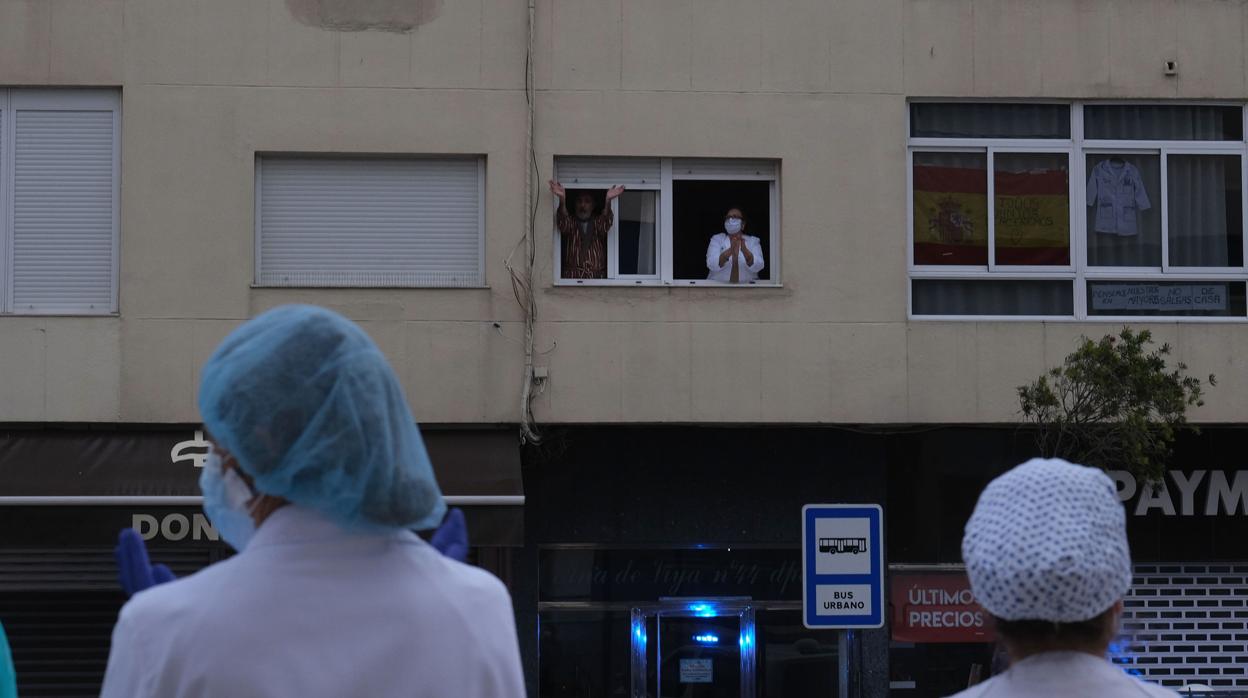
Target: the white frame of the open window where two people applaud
(665, 267)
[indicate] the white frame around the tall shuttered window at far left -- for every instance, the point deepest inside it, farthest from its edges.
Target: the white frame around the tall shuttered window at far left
(61, 99)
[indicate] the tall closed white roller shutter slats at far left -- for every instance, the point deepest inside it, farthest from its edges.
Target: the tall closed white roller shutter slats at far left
(64, 210)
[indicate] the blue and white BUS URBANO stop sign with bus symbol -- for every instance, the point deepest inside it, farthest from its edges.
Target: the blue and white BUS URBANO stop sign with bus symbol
(843, 566)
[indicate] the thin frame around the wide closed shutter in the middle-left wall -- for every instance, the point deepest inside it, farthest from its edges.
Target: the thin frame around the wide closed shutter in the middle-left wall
(260, 157)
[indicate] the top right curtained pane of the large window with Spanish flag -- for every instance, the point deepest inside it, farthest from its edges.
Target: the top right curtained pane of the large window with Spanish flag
(1164, 123)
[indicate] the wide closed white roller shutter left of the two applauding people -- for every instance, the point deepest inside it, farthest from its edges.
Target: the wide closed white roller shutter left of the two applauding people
(370, 222)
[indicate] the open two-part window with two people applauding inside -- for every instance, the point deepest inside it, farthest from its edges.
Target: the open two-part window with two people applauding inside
(668, 225)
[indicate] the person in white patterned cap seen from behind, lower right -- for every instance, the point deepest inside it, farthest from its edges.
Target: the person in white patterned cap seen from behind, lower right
(1046, 551)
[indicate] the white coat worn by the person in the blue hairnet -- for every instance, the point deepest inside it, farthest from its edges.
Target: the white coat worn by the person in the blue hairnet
(308, 611)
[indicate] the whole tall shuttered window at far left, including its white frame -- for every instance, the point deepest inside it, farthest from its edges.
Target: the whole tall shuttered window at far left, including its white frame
(59, 183)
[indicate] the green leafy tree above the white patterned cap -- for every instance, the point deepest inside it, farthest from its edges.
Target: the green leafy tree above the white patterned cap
(1113, 404)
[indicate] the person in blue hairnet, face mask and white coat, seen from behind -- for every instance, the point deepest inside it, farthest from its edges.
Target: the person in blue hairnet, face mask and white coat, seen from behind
(316, 476)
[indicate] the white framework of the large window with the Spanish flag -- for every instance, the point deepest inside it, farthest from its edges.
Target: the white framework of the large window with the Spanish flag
(1079, 273)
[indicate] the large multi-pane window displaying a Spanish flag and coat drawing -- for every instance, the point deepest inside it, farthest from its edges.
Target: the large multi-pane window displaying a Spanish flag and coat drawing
(1103, 212)
